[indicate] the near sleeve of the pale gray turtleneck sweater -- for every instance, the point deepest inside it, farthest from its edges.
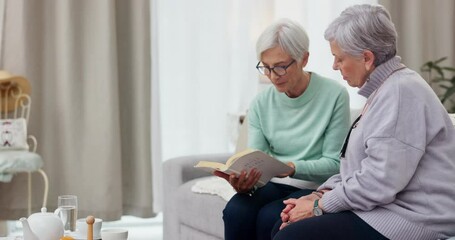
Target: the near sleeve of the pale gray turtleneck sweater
(383, 154)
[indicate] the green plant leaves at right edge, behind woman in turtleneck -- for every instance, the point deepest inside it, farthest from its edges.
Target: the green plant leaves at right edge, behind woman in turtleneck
(442, 79)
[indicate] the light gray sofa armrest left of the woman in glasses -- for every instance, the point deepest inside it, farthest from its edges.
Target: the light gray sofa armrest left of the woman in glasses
(177, 171)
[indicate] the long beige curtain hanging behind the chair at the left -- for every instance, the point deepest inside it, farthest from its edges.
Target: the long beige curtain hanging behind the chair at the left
(89, 66)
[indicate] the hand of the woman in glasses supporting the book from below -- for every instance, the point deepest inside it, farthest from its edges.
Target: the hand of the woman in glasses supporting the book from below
(244, 182)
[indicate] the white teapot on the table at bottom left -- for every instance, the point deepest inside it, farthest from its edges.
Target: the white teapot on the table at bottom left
(42, 226)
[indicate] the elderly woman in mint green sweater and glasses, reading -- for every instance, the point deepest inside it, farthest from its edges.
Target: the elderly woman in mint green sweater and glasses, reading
(301, 120)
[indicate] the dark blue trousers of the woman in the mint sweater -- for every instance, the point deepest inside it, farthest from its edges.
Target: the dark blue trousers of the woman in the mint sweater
(253, 217)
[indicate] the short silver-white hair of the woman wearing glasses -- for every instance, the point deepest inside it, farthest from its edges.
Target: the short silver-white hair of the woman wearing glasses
(288, 35)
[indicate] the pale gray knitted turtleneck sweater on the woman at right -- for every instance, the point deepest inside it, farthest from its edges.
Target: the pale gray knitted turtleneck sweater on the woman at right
(399, 170)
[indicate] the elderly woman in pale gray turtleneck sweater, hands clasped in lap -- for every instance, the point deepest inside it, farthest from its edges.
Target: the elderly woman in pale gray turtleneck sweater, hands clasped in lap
(397, 175)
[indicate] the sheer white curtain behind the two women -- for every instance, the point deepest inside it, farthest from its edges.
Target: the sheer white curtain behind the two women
(206, 64)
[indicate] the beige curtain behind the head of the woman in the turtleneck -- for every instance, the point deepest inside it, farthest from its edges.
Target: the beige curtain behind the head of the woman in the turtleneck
(426, 30)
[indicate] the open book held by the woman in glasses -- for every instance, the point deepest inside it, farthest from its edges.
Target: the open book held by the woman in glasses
(246, 160)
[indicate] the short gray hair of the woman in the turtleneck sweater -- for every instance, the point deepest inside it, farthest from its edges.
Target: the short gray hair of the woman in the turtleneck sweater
(364, 27)
